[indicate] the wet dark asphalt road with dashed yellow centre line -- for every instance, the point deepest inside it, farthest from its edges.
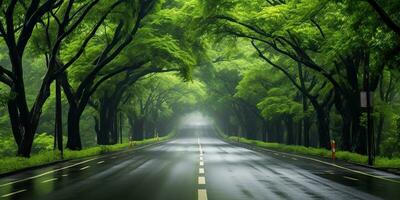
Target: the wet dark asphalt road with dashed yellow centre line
(198, 165)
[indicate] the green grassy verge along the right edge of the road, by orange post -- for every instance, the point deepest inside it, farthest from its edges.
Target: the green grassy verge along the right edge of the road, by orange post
(380, 162)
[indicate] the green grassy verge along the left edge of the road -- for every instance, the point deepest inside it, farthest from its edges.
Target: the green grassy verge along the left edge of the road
(10, 164)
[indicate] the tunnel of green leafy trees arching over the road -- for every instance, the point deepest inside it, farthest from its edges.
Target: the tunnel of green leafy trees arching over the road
(283, 71)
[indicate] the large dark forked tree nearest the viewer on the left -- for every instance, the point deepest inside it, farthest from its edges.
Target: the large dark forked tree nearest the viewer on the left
(18, 35)
